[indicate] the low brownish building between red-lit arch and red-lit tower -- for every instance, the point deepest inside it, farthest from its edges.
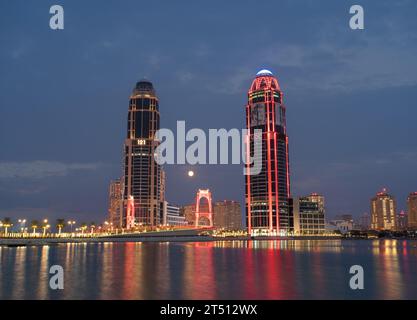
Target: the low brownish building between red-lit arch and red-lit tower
(227, 215)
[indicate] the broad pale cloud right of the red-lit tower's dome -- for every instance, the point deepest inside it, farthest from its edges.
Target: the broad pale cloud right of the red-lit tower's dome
(371, 65)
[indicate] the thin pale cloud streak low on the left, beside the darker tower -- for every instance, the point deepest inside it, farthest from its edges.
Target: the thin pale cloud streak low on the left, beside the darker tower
(41, 169)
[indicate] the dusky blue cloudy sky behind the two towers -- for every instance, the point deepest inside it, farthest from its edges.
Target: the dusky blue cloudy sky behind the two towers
(350, 96)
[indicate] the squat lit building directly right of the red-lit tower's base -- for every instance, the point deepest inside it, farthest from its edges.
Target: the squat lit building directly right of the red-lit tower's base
(309, 215)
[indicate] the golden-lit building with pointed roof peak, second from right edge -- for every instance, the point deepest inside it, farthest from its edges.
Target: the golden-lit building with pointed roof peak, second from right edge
(383, 207)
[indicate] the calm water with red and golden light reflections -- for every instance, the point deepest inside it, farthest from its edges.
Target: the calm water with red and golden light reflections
(273, 269)
